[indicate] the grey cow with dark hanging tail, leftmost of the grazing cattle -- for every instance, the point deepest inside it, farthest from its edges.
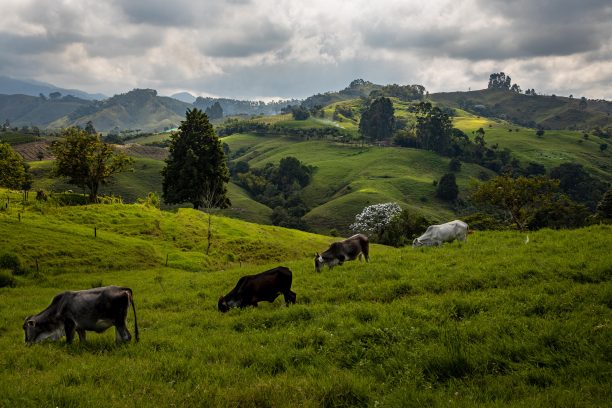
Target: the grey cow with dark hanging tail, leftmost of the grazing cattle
(85, 310)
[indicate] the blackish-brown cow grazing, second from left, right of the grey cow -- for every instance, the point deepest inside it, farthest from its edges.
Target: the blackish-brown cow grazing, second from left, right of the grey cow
(266, 286)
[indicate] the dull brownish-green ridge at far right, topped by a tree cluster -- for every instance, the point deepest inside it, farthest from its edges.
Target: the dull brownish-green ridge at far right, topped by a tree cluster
(549, 112)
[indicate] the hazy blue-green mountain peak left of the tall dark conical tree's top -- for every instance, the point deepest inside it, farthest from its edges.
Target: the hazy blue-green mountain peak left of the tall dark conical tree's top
(138, 109)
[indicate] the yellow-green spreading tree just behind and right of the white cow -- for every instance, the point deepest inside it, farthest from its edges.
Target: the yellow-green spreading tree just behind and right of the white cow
(518, 198)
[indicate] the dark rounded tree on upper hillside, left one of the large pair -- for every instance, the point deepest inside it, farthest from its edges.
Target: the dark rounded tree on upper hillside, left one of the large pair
(377, 121)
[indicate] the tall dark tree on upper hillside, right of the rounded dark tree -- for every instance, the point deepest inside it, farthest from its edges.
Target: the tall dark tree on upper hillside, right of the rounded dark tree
(434, 128)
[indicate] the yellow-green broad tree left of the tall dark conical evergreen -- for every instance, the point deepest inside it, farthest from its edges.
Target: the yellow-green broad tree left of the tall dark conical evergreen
(86, 161)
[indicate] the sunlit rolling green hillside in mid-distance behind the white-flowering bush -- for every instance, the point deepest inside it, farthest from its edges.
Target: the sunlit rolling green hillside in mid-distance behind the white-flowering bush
(348, 178)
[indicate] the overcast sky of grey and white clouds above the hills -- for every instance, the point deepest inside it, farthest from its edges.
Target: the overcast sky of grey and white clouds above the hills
(272, 49)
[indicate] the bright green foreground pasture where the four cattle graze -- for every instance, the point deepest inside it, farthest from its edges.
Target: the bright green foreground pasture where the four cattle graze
(493, 322)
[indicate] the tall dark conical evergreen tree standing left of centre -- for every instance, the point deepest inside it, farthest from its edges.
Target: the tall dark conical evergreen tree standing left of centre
(196, 168)
